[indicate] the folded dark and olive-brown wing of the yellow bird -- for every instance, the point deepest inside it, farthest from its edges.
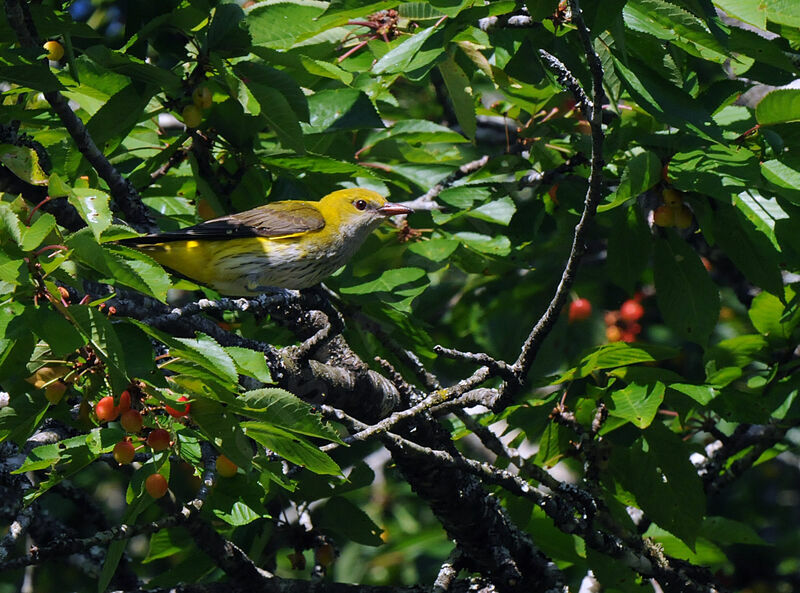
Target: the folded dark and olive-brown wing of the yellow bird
(279, 219)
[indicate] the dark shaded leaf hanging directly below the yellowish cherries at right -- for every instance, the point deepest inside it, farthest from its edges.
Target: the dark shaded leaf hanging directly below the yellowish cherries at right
(686, 296)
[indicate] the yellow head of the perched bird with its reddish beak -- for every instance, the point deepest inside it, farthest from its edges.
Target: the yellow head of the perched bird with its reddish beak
(357, 211)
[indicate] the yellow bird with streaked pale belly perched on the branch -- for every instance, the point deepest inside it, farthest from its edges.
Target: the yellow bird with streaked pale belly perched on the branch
(291, 244)
